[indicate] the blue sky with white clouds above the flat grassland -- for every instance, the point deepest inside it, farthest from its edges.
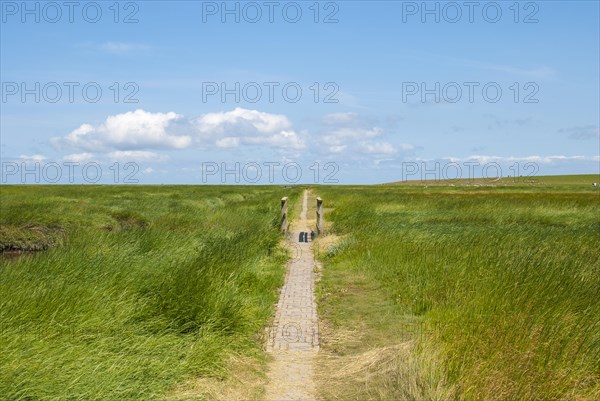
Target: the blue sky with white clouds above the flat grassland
(388, 105)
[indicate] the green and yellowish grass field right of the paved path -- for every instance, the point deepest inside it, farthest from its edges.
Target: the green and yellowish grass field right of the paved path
(455, 293)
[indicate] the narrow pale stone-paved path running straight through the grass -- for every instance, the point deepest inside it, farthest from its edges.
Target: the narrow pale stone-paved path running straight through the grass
(294, 337)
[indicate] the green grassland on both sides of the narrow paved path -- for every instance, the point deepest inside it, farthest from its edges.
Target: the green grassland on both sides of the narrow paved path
(427, 292)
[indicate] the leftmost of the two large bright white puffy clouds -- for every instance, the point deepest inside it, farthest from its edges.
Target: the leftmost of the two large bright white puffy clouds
(131, 130)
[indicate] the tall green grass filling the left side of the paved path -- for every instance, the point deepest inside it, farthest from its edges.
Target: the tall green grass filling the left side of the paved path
(134, 290)
